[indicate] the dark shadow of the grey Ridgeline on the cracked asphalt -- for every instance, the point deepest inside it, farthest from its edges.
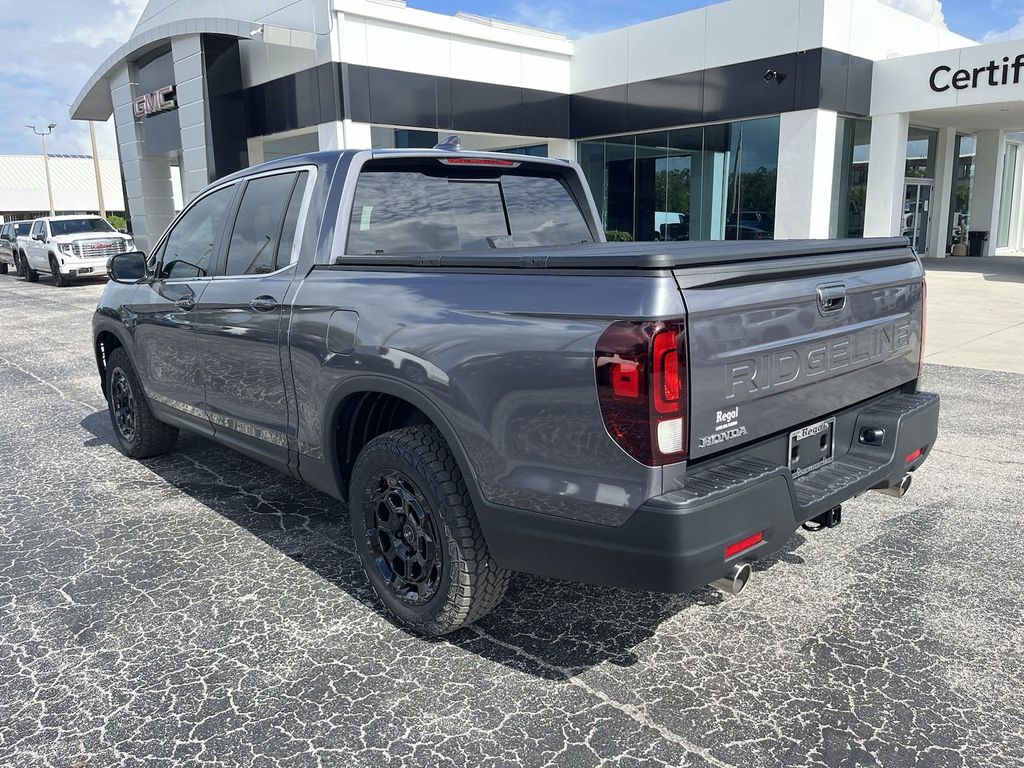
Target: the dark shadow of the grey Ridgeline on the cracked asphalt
(547, 628)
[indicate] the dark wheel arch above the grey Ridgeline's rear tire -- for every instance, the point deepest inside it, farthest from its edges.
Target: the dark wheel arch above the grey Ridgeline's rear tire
(365, 407)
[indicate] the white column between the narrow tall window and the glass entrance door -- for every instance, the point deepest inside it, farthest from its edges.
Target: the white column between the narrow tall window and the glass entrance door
(886, 176)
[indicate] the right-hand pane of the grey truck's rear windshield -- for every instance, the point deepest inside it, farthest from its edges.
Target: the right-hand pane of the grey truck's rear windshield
(543, 212)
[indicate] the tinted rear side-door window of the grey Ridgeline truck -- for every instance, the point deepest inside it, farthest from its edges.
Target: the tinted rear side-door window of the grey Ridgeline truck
(253, 247)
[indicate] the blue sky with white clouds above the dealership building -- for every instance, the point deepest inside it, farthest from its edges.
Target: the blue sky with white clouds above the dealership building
(53, 47)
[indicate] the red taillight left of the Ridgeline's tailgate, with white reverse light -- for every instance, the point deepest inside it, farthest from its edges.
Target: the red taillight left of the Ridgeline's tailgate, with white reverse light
(643, 387)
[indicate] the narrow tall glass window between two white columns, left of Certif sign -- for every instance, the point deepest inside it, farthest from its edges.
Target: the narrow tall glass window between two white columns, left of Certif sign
(854, 144)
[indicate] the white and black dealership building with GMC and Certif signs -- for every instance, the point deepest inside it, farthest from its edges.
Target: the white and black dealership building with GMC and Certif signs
(746, 119)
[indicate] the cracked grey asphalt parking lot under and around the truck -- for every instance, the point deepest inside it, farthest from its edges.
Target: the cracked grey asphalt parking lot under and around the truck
(200, 610)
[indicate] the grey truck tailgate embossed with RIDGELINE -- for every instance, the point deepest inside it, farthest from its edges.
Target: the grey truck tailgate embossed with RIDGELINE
(778, 345)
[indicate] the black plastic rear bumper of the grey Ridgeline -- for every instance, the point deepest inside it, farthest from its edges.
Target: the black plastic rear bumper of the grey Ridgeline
(677, 542)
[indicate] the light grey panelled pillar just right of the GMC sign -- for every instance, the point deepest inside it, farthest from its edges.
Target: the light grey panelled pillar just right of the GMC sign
(188, 55)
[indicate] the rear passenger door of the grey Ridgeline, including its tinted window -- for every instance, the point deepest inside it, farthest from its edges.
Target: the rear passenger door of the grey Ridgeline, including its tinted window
(239, 317)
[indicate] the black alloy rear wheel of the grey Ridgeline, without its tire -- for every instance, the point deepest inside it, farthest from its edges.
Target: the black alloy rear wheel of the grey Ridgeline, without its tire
(403, 537)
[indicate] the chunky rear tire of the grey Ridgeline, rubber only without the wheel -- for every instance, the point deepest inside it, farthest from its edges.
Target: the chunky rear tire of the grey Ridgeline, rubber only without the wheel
(472, 584)
